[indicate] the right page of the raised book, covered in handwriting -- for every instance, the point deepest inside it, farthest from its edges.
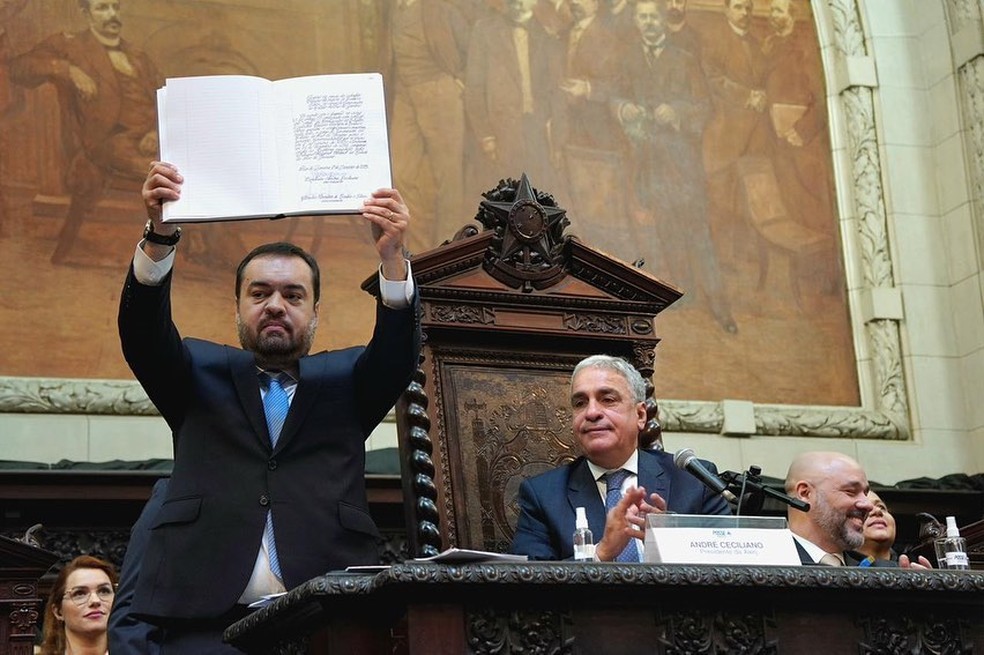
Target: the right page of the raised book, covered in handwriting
(334, 148)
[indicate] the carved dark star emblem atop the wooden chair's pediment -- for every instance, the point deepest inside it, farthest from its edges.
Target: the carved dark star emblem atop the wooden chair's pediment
(529, 223)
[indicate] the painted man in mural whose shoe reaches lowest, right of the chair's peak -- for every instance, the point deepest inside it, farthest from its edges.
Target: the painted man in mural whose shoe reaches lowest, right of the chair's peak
(663, 105)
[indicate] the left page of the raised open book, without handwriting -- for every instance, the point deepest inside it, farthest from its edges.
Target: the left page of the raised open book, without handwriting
(211, 130)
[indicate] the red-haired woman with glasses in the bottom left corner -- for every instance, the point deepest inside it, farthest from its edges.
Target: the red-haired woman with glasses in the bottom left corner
(77, 612)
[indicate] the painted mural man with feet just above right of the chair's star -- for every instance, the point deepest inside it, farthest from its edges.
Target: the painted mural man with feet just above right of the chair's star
(587, 133)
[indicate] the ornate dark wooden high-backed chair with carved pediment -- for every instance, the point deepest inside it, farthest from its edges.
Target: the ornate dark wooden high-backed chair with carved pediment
(507, 313)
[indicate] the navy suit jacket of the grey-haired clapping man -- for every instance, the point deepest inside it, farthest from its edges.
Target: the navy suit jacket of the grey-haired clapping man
(547, 501)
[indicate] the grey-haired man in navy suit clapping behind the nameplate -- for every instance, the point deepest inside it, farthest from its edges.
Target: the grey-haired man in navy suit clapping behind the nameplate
(608, 402)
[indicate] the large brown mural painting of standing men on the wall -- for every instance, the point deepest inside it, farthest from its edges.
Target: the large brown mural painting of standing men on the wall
(689, 138)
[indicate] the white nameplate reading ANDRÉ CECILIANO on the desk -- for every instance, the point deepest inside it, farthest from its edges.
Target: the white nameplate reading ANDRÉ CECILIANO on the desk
(705, 545)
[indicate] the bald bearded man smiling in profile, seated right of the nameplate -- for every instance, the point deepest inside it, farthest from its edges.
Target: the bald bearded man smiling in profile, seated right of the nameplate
(836, 488)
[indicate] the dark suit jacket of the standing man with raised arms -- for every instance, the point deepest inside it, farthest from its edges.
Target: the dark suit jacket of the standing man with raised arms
(226, 478)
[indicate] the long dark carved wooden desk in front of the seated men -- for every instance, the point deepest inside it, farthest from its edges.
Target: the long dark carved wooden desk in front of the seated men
(429, 609)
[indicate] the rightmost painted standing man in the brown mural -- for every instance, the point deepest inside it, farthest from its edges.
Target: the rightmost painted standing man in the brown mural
(795, 126)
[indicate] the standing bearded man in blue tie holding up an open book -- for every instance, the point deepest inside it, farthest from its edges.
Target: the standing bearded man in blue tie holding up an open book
(264, 495)
